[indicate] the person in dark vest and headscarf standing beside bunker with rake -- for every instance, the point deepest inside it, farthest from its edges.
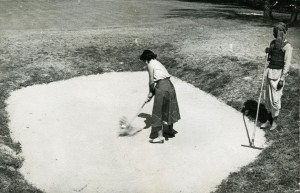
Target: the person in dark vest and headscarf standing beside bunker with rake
(280, 56)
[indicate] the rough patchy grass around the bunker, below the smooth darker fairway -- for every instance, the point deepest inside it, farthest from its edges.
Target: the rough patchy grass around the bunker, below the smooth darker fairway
(196, 54)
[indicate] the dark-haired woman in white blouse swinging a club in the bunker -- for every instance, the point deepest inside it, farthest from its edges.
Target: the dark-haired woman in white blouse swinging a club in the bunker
(165, 108)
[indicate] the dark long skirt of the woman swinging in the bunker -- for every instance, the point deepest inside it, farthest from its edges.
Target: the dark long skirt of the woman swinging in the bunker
(165, 107)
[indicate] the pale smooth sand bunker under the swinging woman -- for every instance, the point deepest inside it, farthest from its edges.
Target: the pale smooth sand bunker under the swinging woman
(68, 131)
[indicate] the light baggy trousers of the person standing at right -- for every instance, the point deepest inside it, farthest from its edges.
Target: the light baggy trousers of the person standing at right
(273, 97)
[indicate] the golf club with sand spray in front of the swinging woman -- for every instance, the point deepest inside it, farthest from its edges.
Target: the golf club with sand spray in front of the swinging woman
(126, 129)
